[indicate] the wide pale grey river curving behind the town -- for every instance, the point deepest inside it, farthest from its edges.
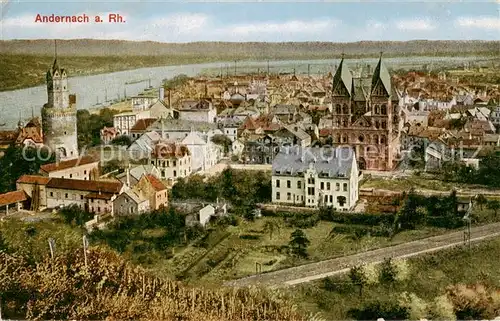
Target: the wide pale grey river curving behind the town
(89, 90)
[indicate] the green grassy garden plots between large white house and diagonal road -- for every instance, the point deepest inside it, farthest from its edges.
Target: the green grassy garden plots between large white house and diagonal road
(236, 256)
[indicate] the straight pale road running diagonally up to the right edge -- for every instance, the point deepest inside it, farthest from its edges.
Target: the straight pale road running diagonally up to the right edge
(319, 270)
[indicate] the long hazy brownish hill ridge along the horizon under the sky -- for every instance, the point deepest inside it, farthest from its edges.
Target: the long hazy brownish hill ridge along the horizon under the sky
(90, 47)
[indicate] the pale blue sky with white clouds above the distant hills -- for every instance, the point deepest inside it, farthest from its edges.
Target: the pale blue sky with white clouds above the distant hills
(263, 20)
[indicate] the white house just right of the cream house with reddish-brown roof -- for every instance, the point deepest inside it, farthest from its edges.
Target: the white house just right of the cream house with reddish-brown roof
(204, 153)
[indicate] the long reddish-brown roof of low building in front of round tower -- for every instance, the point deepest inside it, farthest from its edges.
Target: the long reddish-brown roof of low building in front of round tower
(82, 185)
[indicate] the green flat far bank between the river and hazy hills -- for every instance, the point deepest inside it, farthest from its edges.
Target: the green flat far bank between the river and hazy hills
(18, 71)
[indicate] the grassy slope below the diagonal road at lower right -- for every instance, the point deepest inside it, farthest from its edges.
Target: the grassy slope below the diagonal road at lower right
(429, 276)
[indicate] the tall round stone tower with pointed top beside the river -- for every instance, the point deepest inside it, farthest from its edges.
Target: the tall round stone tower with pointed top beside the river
(59, 115)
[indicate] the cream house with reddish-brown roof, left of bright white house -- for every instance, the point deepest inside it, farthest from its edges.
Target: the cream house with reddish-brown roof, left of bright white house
(173, 160)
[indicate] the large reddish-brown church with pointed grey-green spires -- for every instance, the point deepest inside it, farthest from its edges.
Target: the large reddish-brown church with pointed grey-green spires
(366, 116)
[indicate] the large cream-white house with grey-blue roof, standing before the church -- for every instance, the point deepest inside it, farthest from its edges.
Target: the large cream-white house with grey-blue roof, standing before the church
(315, 177)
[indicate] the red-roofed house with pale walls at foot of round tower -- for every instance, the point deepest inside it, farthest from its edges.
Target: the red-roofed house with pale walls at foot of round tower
(85, 168)
